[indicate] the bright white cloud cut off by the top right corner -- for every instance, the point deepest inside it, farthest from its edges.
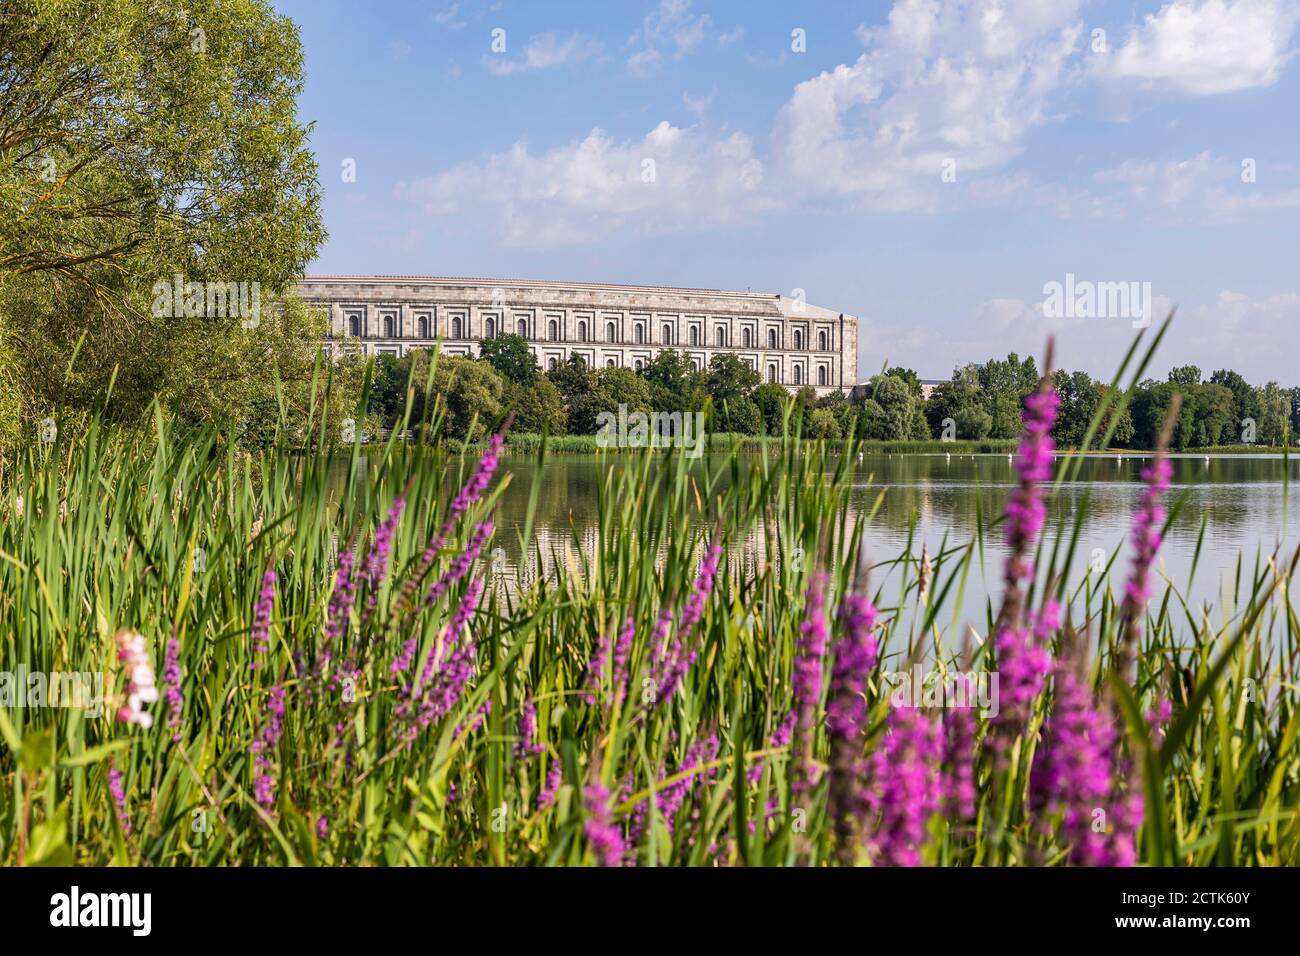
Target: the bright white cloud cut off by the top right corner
(1206, 47)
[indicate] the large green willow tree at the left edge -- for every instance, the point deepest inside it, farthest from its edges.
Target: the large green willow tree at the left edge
(148, 144)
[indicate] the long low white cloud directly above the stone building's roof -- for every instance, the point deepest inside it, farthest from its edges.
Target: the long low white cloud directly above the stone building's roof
(597, 188)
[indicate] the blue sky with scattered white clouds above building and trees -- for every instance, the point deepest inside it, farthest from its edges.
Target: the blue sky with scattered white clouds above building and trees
(929, 166)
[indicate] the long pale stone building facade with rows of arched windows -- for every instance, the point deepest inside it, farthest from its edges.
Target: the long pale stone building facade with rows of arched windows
(788, 341)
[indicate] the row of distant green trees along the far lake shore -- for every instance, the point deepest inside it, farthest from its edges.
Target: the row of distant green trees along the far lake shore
(981, 404)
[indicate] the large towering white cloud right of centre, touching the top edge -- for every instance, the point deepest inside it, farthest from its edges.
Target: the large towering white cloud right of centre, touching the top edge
(944, 80)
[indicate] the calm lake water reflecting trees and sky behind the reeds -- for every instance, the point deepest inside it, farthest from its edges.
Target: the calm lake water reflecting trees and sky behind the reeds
(1242, 499)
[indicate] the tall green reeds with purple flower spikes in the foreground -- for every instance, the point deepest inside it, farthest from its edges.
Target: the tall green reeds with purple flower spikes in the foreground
(301, 674)
